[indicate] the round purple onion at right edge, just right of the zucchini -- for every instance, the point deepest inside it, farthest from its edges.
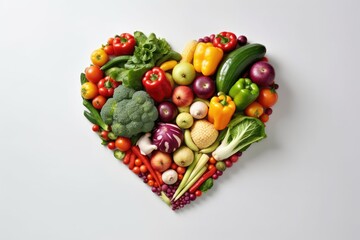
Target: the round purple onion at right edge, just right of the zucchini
(262, 73)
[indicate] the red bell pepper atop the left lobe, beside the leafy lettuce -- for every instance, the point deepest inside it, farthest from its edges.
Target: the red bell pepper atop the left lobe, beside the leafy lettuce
(124, 44)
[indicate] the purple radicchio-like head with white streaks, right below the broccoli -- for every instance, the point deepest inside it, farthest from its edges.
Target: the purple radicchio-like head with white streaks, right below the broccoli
(167, 137)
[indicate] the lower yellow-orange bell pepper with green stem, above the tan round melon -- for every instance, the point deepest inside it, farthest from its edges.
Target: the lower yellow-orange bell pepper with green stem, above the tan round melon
(221, 109)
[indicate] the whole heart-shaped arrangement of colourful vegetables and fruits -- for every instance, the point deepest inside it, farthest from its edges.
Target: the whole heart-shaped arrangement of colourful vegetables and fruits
(179, 120)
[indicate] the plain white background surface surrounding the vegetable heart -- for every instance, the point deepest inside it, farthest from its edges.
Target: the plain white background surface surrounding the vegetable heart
(58, 182)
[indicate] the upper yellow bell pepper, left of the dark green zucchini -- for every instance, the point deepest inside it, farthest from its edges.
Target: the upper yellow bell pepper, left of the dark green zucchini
(207, 58)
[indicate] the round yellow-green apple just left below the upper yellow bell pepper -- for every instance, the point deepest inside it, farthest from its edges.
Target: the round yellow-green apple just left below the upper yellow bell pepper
(183, 73)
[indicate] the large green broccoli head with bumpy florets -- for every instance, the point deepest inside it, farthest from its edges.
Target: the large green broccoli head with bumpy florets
(129, 112)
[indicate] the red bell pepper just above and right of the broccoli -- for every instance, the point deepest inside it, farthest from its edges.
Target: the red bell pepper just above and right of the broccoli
(156, 84)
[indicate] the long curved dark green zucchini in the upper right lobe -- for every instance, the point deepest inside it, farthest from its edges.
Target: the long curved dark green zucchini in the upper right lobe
(235, 64)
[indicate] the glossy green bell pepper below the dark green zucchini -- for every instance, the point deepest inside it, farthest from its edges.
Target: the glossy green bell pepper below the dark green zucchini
(244, 92)
